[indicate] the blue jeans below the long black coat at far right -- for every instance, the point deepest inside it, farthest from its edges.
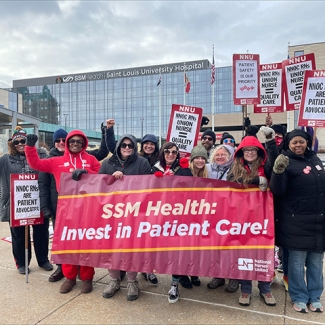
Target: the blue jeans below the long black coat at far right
(299, 290)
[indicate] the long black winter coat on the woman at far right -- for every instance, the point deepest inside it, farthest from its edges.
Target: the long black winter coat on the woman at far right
(302, 187)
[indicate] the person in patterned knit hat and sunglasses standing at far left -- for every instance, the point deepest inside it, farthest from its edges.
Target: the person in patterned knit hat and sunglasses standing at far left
(15, 162)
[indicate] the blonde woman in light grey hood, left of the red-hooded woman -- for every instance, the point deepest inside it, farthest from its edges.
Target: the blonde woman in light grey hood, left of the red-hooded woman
(221, 160)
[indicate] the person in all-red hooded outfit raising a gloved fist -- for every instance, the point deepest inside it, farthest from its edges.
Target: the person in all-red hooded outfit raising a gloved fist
(77, 161)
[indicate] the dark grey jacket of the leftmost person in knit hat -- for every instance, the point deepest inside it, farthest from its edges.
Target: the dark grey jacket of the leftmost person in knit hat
(12, 164)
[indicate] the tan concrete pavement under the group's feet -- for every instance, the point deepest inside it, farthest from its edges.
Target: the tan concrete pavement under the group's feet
(39, 301)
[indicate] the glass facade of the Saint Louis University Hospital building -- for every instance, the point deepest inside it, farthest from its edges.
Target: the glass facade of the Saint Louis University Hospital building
(134, 101)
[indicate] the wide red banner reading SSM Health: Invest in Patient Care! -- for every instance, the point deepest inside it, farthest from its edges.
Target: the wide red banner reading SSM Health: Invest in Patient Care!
(169, 225)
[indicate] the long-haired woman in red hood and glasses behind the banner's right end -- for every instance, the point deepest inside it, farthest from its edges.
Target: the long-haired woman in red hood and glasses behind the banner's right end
(248, 168)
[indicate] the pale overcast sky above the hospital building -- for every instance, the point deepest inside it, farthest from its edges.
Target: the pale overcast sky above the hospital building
(45, 38)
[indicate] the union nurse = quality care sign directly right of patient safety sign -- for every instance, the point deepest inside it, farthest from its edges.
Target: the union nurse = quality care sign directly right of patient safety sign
(271, 89)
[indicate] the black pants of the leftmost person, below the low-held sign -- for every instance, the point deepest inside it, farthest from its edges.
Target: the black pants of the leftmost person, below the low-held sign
(41, 243)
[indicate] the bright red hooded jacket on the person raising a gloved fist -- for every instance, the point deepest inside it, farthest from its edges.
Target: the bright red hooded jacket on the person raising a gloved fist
(66, 163)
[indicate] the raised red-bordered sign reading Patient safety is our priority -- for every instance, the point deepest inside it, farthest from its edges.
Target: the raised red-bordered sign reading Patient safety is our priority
(246, 79)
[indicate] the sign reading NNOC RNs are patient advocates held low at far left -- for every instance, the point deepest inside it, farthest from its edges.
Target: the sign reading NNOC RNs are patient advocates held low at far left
(24, 200)
